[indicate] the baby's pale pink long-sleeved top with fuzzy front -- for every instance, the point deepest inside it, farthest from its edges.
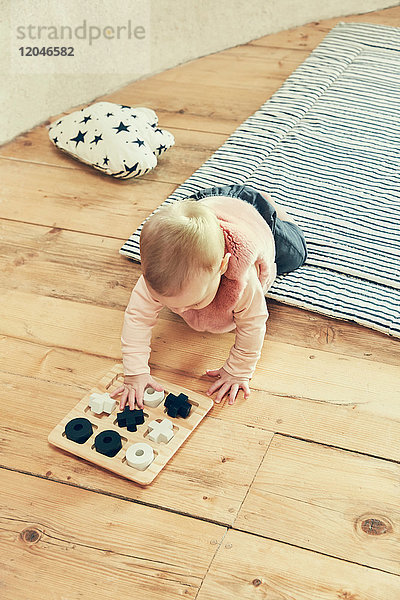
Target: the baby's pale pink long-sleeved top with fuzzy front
(239, 303)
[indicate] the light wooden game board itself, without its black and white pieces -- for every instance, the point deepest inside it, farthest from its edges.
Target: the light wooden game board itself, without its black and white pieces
(162, 452)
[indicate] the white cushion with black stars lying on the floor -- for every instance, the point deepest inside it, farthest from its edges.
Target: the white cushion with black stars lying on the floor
(119, 140)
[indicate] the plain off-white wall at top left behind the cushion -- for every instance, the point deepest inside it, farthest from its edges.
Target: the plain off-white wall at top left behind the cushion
(174, 31)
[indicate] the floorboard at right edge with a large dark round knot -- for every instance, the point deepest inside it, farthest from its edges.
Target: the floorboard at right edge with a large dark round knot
(338, 503)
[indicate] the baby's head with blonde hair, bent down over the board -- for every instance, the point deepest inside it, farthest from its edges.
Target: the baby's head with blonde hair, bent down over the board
(182, 251)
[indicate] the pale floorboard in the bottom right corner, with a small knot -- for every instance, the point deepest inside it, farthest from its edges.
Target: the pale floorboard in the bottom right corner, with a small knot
(250, 568)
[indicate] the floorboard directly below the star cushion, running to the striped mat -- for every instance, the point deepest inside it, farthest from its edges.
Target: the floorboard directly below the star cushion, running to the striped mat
(86, 201)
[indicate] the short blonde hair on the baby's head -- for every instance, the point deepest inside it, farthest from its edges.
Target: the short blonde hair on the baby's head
(177, 242)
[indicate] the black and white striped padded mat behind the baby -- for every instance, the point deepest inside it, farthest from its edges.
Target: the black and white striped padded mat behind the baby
(326, 146)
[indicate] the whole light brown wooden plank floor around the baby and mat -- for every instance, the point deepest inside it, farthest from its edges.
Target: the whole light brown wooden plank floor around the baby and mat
(292, 495)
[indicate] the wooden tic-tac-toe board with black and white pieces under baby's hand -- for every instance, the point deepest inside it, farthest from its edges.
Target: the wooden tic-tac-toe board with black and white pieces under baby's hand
(173, 432)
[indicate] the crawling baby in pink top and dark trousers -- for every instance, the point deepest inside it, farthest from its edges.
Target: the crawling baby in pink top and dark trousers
(210, 258)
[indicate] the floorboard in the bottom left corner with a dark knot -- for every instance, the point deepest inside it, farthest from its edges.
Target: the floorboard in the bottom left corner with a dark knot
(59, 541)
